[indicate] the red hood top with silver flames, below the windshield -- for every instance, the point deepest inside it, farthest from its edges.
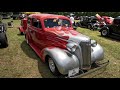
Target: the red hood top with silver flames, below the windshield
(69, 34)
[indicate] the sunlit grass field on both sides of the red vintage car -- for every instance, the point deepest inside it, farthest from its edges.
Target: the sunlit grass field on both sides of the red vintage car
(18, 60)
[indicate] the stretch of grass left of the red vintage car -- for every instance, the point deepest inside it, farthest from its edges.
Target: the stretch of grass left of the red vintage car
(18, 60)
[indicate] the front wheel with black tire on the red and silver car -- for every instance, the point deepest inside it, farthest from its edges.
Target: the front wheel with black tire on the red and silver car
(52, 67)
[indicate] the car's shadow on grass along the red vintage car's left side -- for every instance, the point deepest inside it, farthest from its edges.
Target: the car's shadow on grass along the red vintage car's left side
(42, 67)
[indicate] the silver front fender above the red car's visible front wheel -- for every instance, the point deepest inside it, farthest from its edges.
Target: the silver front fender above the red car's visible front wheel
(64, 60)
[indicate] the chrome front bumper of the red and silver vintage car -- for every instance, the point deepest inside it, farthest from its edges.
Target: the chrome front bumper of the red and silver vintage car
(93, 69)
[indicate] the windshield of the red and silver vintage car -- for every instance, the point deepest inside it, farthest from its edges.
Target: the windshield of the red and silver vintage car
(50, 23)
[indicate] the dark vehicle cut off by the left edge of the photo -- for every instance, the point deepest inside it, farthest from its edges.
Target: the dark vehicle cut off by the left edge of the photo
(3, 36)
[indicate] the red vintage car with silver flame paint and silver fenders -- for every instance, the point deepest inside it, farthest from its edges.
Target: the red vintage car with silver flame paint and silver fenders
(66, 51)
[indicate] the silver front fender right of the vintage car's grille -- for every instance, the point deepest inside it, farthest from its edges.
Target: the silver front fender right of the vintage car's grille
(97, 53)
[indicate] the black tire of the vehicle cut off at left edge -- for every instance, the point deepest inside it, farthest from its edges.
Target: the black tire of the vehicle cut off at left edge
(3, 40)
